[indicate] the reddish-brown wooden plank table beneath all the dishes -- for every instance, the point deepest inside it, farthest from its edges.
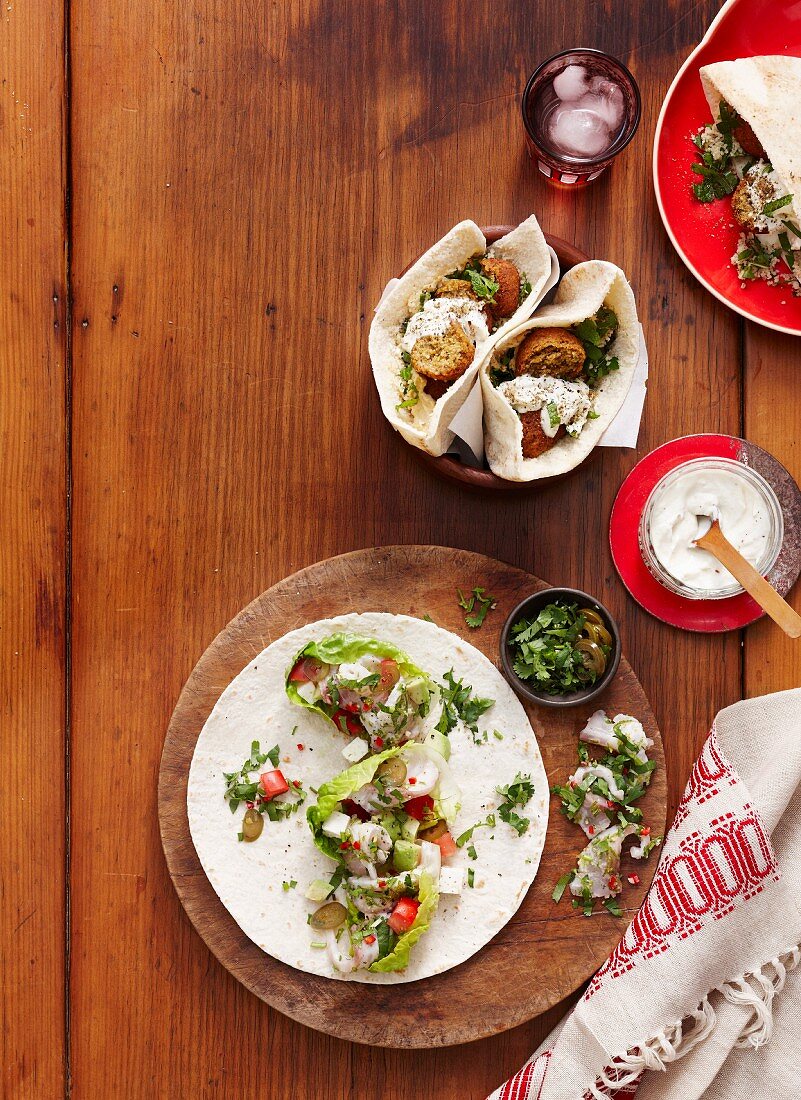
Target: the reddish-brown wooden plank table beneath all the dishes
(197, 222)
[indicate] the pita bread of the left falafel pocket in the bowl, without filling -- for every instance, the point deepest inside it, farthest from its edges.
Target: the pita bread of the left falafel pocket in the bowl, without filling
(427, 425)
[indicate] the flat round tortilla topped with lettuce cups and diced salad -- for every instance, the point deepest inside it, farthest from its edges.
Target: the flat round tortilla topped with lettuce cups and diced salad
(399, 820)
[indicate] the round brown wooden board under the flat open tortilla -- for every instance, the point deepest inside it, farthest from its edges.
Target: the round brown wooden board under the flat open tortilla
(546, 952)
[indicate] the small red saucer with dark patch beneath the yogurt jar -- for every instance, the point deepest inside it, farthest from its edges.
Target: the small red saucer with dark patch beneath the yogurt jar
(711, 617)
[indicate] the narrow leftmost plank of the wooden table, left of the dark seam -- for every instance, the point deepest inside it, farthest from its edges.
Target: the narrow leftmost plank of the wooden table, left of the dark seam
(34, 497)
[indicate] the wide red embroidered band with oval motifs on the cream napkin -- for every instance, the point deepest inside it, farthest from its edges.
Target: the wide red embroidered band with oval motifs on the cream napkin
(701, 883)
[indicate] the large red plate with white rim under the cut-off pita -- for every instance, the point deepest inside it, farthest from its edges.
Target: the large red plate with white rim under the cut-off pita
(706, 235)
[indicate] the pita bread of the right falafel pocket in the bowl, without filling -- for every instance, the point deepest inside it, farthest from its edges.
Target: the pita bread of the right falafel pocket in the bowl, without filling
(580, 295)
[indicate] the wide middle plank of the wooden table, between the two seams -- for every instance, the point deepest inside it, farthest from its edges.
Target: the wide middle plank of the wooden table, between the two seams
(246, 180)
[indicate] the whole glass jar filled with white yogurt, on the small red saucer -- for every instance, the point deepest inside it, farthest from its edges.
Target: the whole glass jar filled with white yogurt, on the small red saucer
(687, 501)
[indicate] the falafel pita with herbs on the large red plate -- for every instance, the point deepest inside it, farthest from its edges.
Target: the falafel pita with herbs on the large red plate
(749, 157)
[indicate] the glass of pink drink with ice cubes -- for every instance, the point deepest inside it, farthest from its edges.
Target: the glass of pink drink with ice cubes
(580, 109)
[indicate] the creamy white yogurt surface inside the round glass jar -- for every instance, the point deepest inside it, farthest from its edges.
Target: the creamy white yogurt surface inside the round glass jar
(675, 525)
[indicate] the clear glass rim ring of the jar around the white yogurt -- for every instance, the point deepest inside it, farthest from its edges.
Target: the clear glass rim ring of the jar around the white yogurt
(725, 592)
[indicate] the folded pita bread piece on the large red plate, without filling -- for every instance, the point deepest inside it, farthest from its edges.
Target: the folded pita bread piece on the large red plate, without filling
(766, 93)
